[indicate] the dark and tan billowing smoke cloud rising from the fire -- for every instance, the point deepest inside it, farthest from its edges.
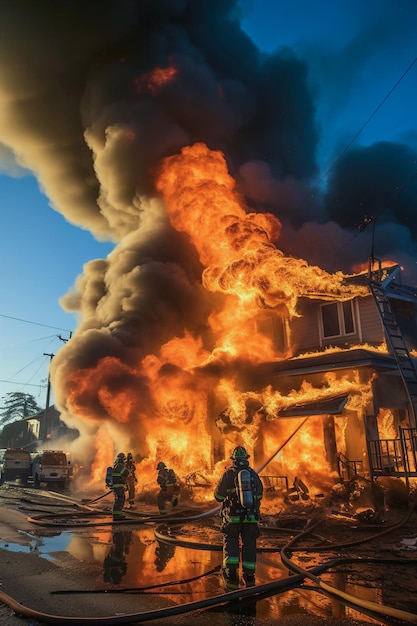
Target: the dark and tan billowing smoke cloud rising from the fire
(94, 96)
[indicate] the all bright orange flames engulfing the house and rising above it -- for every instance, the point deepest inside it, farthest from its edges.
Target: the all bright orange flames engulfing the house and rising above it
(168, 401)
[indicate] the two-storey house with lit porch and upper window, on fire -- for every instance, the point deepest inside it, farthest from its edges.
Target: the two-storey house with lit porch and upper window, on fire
(352, 374)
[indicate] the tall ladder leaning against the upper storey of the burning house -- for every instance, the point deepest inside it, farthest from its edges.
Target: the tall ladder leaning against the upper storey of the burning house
(396, 344)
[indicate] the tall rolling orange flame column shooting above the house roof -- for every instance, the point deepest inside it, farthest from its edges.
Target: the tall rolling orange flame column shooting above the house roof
(237, 248)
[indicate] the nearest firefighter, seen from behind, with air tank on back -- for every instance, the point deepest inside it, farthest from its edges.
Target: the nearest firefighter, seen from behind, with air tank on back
(239, 521)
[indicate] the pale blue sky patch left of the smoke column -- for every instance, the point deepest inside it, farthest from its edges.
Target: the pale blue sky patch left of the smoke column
(41, 255)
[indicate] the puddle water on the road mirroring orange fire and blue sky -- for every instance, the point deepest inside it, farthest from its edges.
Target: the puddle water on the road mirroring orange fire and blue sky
(135, 558)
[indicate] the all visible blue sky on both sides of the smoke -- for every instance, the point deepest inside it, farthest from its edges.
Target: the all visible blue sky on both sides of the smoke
(355, 52)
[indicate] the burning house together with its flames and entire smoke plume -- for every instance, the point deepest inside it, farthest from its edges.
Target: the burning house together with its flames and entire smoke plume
(217, 319)
